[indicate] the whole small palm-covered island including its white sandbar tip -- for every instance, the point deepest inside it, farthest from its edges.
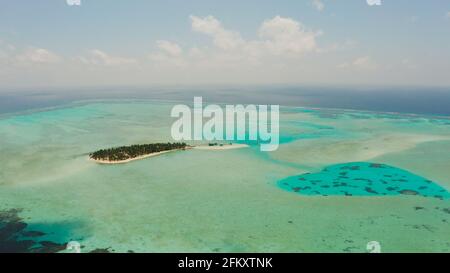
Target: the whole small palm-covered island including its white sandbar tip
(125, 154)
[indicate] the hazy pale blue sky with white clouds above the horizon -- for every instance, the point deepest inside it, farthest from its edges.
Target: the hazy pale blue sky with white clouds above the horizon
(49, 43)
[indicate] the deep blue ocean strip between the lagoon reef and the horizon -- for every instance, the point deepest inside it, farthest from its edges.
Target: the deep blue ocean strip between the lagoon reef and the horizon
(429, 101)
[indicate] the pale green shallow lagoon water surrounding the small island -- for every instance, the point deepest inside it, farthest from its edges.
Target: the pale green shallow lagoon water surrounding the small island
(218, 201)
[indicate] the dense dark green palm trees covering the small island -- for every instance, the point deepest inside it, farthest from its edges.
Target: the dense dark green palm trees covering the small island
(134, 151)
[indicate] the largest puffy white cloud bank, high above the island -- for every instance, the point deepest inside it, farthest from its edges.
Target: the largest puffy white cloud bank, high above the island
(279, 39)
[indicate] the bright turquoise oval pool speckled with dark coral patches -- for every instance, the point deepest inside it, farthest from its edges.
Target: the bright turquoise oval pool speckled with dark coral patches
(363, 179)
